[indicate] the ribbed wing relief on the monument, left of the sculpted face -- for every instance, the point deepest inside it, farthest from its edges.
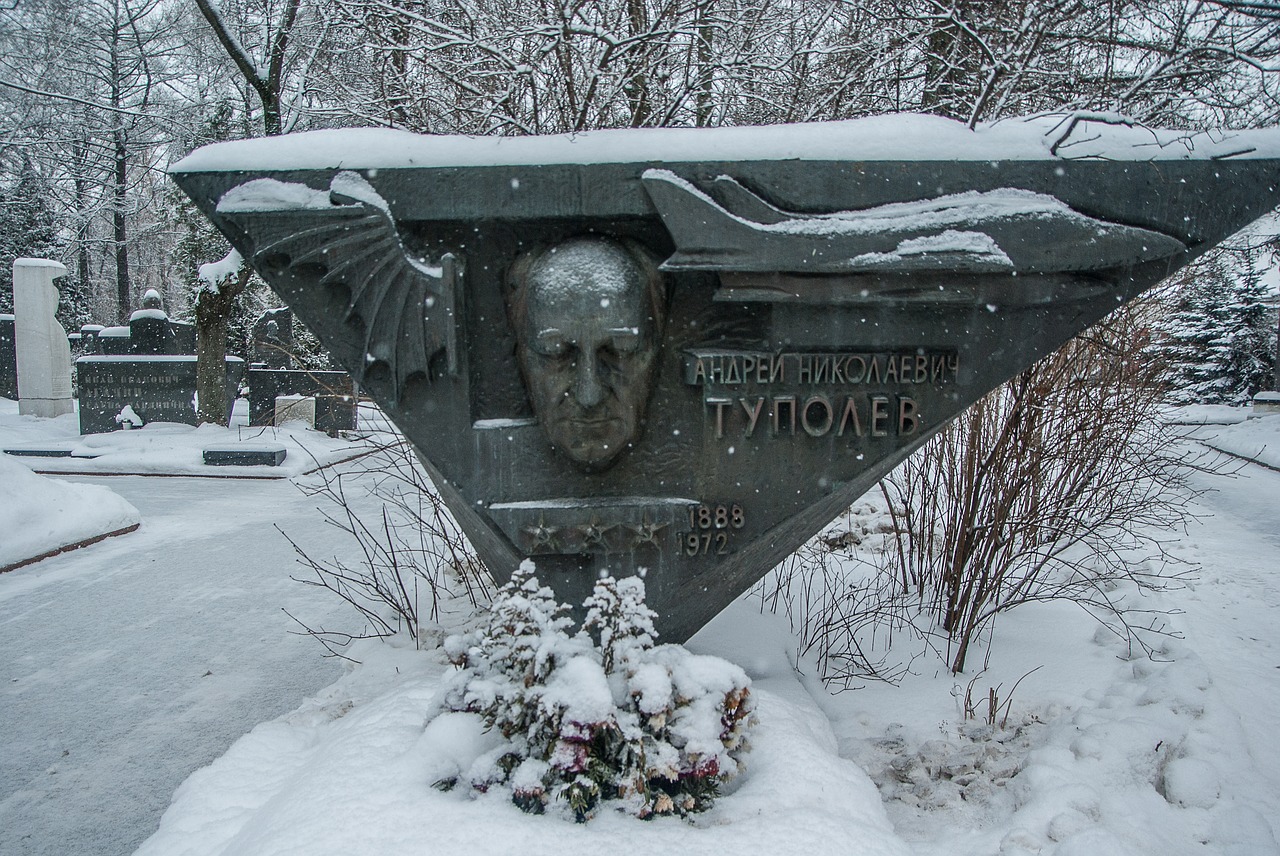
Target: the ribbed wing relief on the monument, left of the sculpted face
(346, 237)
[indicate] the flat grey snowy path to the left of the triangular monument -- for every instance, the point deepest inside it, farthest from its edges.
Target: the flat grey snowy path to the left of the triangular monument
(135, 662)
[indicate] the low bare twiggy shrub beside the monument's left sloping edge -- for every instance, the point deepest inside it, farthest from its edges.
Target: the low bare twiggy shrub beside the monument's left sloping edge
(414, 556)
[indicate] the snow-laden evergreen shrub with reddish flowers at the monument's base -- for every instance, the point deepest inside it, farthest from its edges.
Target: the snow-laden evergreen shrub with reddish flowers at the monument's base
(584, 720)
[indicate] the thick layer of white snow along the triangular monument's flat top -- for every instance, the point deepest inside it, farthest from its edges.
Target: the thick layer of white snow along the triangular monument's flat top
(879, 139)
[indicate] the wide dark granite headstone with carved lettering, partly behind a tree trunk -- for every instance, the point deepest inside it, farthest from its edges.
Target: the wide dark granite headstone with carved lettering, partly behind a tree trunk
(156, 390)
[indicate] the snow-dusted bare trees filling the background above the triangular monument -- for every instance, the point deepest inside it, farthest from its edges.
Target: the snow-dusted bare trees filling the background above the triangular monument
(99, 94)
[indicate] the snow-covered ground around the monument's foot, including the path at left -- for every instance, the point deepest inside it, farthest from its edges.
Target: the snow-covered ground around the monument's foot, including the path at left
(1103, 753)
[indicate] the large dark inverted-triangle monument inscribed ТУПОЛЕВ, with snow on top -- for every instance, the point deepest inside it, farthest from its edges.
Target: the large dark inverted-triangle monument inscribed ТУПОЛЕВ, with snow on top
(685, 351)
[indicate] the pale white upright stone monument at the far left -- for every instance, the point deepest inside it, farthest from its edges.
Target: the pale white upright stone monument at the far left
(43, 350)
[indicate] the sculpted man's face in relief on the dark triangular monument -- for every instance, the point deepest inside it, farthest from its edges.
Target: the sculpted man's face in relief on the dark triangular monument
(588, 319)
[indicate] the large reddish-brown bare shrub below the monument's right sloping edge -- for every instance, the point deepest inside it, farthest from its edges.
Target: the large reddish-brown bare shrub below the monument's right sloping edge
(1057, 486)
